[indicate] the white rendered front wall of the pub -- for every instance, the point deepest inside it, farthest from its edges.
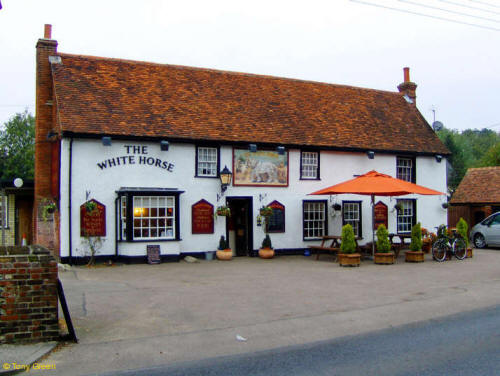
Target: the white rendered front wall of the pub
(335, 168)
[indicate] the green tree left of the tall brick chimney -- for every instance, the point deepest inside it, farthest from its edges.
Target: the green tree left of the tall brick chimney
(17, 147)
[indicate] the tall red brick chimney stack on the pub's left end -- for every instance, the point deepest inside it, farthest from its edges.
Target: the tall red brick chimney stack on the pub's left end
(46, 148)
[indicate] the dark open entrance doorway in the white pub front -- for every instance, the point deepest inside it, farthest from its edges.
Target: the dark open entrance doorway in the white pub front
(239, 226)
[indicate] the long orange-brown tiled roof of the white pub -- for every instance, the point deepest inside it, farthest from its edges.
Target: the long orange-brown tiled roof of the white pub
(129, 98)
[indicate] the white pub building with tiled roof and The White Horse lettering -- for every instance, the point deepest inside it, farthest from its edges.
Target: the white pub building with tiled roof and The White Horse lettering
(148, 144)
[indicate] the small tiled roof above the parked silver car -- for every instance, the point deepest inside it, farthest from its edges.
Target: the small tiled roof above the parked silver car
(479, 186)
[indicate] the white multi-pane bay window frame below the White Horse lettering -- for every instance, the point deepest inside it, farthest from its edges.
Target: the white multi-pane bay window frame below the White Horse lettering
(147, 216)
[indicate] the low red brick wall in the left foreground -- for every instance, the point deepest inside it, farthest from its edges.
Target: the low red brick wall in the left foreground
(28, 295)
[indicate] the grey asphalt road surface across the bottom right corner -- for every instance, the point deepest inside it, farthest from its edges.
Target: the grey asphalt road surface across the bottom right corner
(462, 344)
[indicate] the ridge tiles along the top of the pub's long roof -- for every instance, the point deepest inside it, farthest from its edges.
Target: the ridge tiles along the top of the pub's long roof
(221, 71)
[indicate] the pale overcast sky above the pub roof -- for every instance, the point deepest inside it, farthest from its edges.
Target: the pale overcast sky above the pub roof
(456, 66)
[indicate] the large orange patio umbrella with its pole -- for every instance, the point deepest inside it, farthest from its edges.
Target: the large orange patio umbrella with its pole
(373, 184)
